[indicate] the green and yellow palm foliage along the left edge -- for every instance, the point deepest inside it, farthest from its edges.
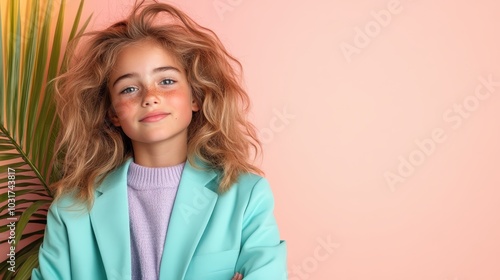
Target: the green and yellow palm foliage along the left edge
(28, 122)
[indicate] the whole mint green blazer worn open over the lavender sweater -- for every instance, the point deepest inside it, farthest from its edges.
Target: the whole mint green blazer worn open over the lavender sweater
(209, 236)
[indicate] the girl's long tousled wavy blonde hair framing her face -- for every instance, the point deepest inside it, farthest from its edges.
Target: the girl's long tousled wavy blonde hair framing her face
(89, 146)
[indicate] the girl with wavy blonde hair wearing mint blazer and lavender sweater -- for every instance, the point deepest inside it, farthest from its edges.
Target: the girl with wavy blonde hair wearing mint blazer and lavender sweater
(153, 150)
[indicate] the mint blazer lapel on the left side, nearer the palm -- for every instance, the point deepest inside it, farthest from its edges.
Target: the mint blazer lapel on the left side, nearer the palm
(110, 221)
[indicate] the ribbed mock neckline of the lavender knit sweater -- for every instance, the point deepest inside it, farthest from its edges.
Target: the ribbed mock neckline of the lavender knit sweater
(146, 178)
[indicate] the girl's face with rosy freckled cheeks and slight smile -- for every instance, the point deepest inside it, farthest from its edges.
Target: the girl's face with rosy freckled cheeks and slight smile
(150, 96)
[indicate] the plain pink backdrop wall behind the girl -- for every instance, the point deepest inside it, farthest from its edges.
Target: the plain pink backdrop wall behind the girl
(349, 93)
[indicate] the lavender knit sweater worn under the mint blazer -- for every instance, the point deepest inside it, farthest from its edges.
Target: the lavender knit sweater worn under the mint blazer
(151, 195)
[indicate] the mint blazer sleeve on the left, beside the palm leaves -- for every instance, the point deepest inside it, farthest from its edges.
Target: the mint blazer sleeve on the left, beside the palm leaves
(53, 256)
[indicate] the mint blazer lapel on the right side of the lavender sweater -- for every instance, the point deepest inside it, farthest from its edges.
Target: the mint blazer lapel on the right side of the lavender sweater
(193, 206)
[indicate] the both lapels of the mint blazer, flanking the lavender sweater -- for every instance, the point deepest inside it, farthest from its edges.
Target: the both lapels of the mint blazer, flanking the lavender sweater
(193, 206)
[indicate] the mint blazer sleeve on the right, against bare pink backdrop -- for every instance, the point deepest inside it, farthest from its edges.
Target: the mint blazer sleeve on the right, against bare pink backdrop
(262, 254)
